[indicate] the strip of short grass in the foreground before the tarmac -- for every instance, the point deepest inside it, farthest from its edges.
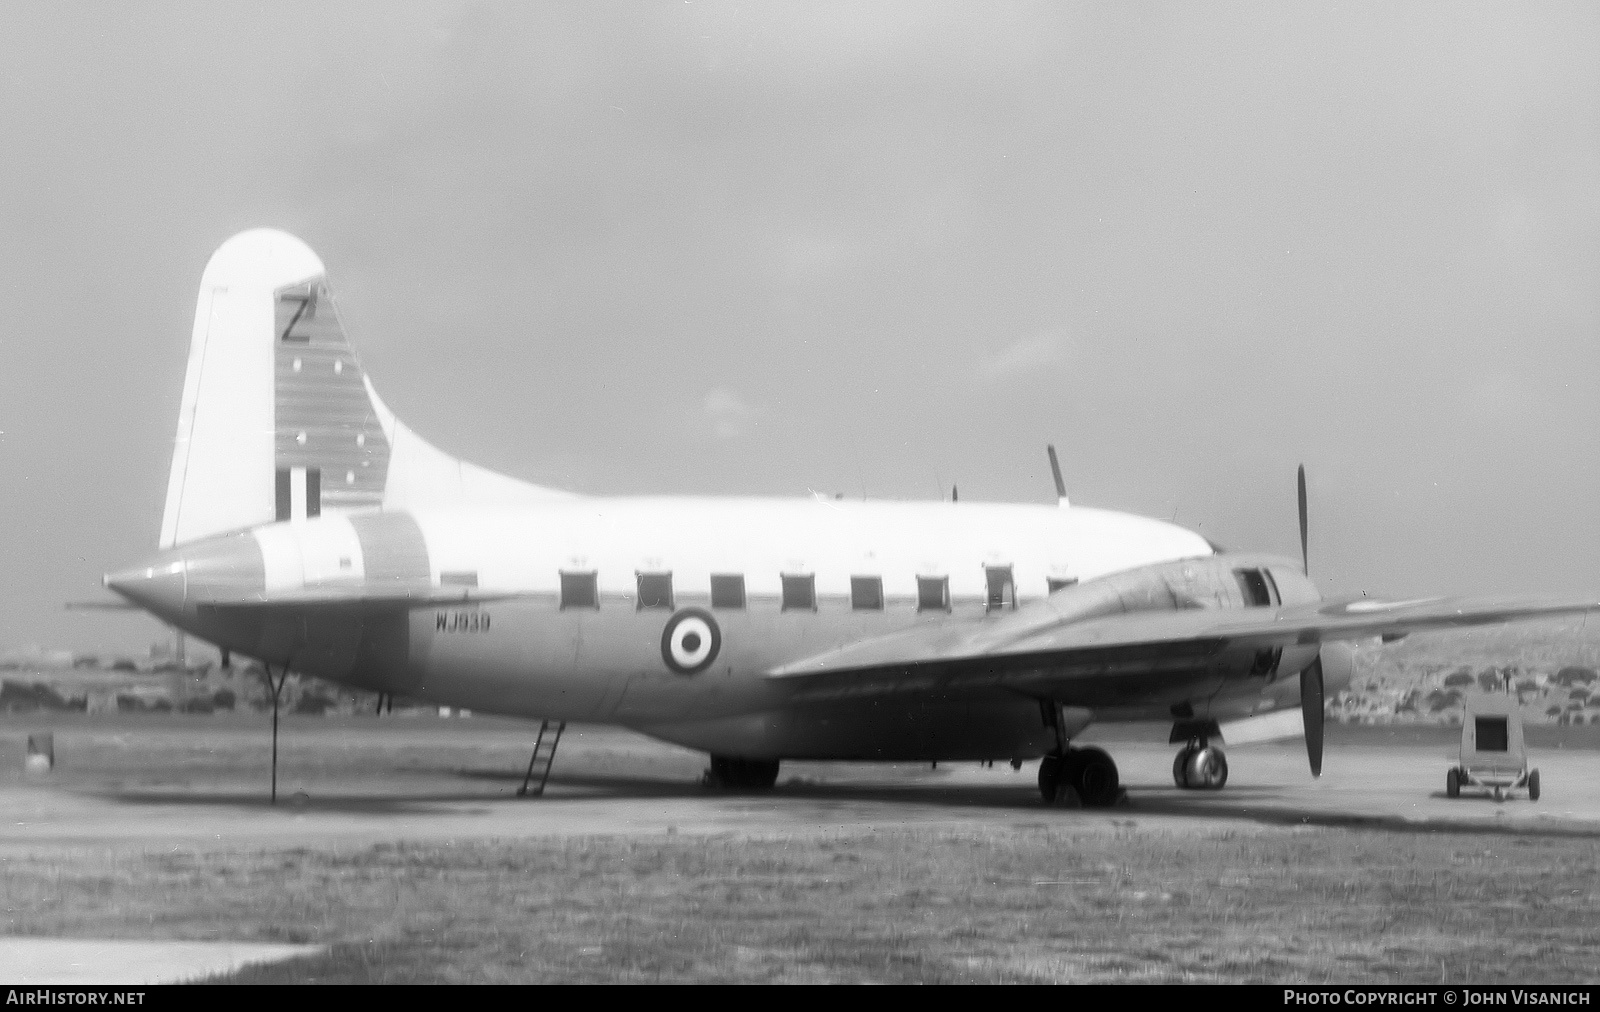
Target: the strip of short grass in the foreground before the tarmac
(1014, 904)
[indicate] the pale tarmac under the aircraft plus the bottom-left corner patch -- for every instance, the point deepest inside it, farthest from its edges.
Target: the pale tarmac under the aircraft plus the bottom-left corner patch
(146, 784)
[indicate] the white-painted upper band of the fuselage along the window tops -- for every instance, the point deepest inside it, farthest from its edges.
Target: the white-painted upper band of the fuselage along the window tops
(526, 550)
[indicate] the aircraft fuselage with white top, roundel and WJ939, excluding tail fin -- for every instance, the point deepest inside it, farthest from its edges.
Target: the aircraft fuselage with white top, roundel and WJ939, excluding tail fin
(570, 611)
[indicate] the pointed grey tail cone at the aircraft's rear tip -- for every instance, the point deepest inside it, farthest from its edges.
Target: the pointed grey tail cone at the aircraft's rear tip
(215, 571)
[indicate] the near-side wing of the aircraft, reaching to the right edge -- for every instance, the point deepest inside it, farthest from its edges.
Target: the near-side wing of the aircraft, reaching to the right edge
(1038, 651)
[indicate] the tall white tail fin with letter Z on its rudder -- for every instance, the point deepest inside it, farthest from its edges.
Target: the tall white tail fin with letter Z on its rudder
(279, 420)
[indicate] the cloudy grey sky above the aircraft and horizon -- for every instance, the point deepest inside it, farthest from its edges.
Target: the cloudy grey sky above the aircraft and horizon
(879, 251)
